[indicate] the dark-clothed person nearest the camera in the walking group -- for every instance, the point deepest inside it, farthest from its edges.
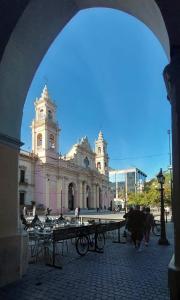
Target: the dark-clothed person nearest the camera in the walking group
(136, 224)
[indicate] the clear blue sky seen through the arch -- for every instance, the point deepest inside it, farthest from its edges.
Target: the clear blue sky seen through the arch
(104, 71)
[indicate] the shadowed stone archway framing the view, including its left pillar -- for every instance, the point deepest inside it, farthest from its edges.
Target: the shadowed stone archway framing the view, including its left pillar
(28, 42)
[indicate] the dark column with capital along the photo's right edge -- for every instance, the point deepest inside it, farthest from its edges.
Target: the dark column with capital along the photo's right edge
(172, 81)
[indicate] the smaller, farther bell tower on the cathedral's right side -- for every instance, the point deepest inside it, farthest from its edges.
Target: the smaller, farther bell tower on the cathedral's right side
(102, 158)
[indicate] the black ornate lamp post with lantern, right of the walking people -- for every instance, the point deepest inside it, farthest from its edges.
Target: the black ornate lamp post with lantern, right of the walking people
(161, 180)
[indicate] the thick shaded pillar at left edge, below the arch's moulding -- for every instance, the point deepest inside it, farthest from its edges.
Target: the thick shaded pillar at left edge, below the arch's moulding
(13, 240)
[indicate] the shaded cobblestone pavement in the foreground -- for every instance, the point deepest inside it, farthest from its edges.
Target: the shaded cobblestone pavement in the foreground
(119, 273)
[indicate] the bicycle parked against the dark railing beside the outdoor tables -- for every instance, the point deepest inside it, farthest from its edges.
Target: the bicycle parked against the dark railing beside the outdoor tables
(90, 242)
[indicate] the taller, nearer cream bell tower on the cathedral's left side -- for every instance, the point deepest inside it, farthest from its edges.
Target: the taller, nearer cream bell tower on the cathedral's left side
(45, 129)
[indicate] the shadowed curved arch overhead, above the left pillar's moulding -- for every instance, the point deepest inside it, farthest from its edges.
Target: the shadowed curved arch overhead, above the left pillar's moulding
(32, 27)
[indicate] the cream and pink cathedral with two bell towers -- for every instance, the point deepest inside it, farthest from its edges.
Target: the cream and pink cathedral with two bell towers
(61, 183)
